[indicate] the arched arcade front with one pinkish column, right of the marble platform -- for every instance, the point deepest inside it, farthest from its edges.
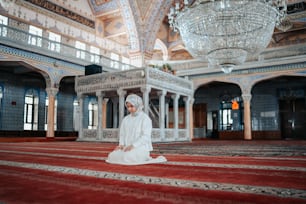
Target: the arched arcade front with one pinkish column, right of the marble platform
(246, 79)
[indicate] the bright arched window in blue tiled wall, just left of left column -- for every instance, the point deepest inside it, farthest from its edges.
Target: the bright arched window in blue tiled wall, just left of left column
(31, 110)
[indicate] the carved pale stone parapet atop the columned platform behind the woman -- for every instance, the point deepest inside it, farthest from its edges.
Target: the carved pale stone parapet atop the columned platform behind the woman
(133, 78)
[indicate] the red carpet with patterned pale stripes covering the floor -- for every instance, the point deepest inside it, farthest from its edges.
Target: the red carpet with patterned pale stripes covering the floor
(198, 172)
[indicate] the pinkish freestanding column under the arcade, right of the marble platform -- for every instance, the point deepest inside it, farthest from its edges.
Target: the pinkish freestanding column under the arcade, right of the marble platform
(247, 116)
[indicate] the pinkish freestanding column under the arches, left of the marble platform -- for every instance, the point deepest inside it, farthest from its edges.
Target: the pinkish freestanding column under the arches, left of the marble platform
(51, 110)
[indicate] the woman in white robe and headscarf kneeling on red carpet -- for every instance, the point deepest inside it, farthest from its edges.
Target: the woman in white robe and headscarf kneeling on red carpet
(134, 136)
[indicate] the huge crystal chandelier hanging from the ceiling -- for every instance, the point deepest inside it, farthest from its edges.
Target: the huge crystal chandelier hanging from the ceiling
(226, 32)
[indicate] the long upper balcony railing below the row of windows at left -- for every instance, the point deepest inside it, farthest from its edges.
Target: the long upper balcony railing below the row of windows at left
(21, 39)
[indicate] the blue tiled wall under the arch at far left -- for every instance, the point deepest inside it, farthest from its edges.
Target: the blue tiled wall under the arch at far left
(12, 104)
